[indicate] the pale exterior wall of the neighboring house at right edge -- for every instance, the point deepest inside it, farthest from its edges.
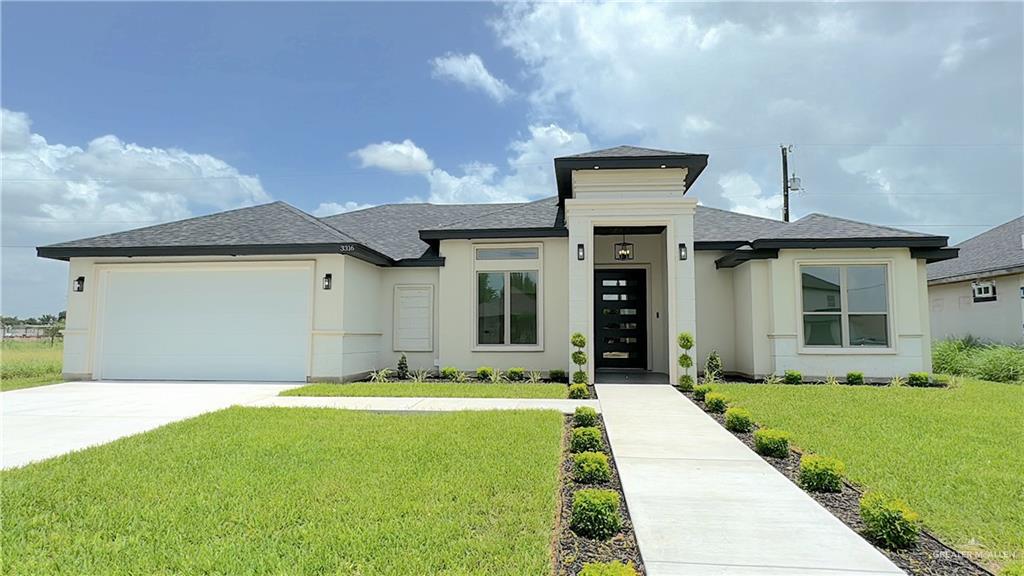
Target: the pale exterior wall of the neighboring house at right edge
(955, 314)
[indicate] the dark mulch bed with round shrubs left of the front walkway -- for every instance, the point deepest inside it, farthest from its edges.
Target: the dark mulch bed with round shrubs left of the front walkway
(572, 552)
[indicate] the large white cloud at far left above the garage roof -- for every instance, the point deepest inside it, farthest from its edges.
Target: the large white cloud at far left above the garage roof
(55, 192)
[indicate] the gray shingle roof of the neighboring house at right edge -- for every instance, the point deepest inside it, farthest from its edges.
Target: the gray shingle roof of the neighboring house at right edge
(999, 250)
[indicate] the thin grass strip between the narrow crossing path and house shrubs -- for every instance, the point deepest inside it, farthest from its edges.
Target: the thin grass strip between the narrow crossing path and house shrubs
(434, 390)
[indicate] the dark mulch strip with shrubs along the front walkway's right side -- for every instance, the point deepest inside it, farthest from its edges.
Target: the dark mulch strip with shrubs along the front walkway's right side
(928, 558)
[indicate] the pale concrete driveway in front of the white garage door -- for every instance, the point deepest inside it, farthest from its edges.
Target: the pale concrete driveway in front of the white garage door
(48, 422)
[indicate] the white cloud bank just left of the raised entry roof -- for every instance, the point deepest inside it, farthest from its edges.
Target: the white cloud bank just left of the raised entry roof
(528, 177)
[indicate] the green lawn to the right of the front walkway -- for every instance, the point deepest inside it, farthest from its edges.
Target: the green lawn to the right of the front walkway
(954, 455)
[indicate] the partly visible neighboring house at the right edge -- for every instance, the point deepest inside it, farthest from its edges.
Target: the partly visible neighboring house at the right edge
(982, 294)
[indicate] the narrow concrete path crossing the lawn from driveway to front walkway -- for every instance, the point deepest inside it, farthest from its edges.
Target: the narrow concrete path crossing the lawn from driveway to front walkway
(426, 404)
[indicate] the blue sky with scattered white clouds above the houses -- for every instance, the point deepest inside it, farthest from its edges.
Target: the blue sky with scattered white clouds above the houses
(121, 115)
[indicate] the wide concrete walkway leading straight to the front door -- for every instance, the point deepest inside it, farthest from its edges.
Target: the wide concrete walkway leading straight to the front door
(703, 504)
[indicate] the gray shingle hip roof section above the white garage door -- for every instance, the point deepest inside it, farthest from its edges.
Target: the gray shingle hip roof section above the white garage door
(272, 224)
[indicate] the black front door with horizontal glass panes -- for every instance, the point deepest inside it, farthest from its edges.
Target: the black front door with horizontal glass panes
(621, 319)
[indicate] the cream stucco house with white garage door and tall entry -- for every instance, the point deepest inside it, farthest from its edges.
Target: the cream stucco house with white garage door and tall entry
(621, 255)
